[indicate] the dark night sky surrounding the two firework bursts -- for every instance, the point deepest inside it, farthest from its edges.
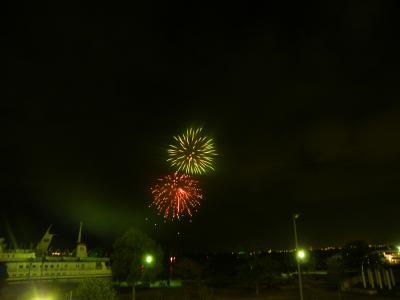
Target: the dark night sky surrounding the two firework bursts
(302, 101)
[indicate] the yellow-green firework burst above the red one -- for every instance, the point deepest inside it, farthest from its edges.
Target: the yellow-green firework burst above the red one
(193, 152)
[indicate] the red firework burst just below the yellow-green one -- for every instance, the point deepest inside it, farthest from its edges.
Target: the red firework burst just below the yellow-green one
(176, 195)
